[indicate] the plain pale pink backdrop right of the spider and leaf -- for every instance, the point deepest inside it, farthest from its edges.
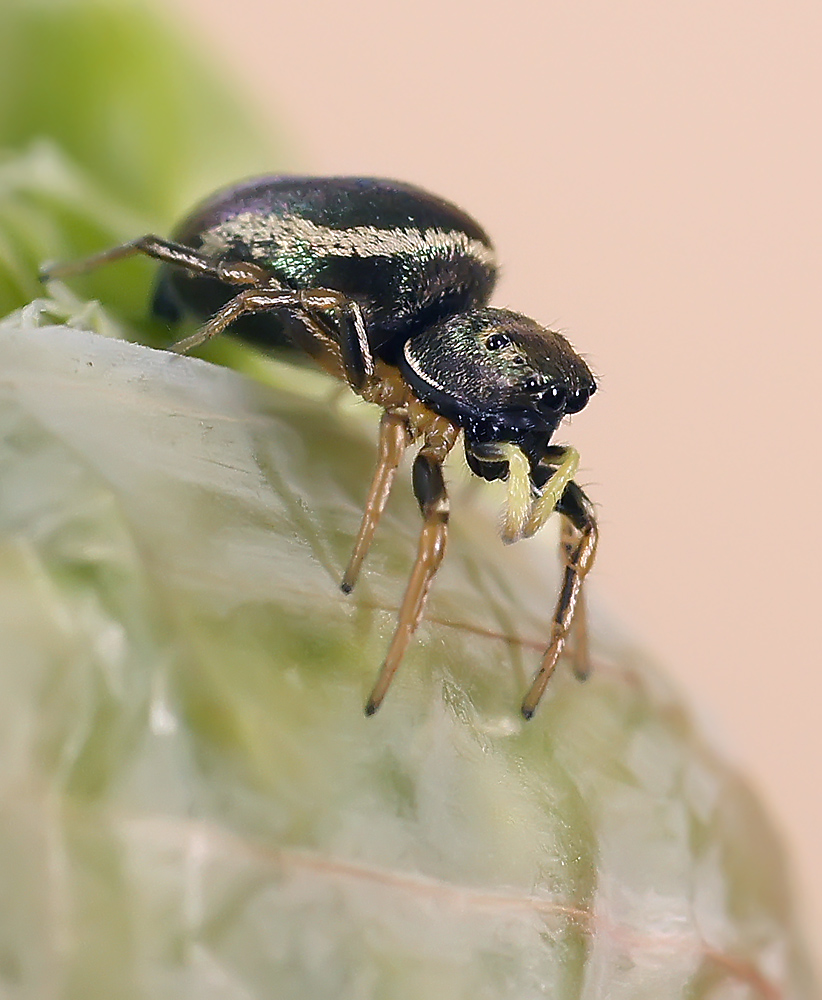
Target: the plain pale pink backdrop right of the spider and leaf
(650, 171)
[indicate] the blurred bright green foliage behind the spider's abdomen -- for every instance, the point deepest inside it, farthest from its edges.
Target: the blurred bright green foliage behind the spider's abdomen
(111, 125)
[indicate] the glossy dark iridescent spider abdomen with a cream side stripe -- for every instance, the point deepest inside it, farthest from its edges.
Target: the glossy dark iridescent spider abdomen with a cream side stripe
(408, 258)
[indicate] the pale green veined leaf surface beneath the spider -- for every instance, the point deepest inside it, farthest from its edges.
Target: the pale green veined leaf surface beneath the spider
(192, 796)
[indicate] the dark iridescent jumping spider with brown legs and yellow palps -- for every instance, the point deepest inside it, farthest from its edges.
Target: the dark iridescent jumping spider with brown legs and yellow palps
(386, 287)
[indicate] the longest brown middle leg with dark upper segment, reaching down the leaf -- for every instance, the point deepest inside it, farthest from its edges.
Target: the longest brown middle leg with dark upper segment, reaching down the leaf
(429, 487)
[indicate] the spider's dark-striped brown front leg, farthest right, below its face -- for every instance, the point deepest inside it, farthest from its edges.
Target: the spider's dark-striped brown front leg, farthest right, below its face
(578, 555)
